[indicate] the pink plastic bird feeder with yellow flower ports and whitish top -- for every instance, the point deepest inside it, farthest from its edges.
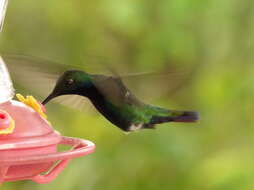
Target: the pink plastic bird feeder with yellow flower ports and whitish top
(28, 143)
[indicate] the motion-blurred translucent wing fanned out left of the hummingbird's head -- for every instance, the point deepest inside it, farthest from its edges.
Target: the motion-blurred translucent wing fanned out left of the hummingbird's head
(35, 76)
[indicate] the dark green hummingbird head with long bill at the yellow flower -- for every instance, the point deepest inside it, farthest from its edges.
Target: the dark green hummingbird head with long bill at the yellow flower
(70, 82)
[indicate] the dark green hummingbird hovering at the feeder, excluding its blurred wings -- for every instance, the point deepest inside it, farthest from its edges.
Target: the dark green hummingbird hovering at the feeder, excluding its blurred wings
(116, 102)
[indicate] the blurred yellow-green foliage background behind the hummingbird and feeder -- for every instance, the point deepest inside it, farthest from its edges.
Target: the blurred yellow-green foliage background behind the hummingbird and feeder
(212, 38)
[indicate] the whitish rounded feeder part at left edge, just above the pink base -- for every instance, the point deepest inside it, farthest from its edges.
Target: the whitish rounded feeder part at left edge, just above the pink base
(6, 88)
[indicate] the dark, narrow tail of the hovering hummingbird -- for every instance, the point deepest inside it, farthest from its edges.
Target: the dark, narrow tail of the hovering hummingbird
(176, 116)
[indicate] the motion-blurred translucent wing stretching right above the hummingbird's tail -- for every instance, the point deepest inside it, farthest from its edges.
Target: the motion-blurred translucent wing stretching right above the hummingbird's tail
(151, 85)
